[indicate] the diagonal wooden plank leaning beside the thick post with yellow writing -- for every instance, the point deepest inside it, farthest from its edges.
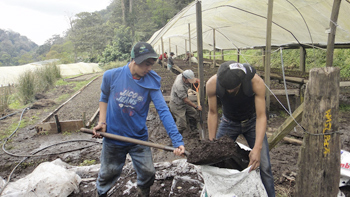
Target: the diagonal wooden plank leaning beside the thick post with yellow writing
(286, 127)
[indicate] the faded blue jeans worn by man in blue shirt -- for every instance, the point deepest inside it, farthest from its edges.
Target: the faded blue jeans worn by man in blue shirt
(112, 162)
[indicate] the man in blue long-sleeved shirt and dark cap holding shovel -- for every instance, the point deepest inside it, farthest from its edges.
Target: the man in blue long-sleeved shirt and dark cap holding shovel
(126, 93)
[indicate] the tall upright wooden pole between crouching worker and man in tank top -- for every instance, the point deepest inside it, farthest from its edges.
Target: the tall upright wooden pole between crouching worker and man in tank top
(200, 59)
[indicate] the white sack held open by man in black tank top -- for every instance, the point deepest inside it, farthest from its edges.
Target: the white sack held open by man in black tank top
(222, 182)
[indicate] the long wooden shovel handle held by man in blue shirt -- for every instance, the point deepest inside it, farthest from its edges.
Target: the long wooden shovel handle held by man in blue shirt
(131, 140)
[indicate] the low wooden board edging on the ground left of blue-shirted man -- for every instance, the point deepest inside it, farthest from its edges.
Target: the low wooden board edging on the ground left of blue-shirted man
(51, 128)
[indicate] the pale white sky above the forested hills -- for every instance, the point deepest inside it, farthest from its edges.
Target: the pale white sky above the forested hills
(39, 20)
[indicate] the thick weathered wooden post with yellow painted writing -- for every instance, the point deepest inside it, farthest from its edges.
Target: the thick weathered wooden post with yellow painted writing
(319, 158)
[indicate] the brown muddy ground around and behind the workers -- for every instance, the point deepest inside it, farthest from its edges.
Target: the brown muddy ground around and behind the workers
(25, 142)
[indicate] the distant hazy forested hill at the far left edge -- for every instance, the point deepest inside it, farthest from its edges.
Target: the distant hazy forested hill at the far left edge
(14, 48)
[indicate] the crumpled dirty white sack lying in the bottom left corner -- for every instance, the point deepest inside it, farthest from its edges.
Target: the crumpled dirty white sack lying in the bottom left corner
(48, 179)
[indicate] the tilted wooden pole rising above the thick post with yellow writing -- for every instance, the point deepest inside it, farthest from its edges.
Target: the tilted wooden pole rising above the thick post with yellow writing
(331, 35)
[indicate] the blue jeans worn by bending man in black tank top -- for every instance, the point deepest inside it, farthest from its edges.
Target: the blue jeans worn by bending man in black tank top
(247, 128)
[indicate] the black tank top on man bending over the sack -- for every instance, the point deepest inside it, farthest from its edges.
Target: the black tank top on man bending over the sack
(237, 107)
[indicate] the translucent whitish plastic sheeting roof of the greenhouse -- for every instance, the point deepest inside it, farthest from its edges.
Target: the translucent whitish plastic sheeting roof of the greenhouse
(241, 24)
